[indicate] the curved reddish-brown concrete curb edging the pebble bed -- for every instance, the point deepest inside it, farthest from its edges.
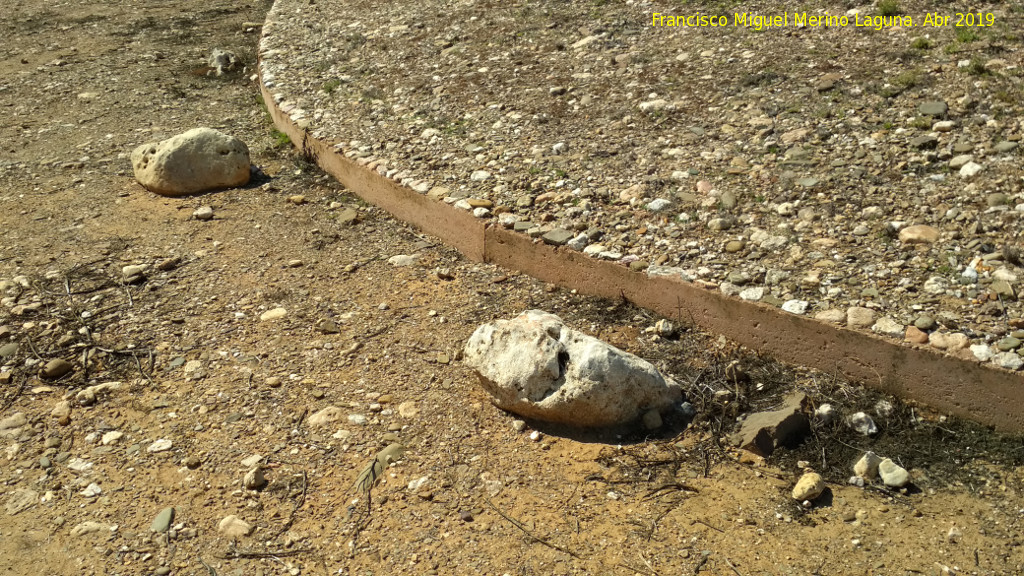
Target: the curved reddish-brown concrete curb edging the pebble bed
(965, 389)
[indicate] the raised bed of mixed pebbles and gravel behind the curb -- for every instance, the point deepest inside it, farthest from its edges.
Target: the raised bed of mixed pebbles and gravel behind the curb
(870, 178)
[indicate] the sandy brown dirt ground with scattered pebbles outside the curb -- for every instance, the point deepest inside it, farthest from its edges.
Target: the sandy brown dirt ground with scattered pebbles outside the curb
(82, 86)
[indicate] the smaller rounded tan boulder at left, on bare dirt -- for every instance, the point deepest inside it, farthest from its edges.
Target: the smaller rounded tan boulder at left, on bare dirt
(196, 161)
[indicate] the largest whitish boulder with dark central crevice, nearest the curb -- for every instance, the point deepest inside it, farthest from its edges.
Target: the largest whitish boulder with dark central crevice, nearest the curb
(536, 366)
